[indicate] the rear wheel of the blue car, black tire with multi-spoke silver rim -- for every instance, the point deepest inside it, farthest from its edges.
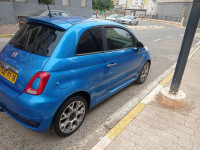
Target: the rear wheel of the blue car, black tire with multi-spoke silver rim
(71, 116)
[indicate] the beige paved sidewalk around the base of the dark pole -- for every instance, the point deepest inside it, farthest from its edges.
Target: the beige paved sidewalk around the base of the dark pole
(160, 128)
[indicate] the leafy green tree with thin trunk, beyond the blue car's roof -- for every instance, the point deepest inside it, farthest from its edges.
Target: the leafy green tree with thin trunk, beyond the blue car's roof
(104, 5)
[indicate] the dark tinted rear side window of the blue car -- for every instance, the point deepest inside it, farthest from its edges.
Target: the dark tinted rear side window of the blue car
(90, 41)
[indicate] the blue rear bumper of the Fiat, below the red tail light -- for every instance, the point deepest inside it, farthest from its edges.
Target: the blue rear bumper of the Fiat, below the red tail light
(33, 112)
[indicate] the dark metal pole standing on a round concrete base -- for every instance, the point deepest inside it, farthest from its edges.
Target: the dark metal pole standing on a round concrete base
(186, 45)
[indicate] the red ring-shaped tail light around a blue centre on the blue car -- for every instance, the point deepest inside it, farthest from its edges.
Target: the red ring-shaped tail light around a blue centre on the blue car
(44, 77)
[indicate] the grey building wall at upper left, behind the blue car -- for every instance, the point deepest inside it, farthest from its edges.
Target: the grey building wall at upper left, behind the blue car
(9, 11)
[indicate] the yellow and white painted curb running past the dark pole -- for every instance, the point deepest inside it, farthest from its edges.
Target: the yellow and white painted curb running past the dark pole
(121, 125)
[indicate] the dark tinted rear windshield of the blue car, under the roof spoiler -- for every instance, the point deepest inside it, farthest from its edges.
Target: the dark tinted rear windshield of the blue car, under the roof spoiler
(37, 39)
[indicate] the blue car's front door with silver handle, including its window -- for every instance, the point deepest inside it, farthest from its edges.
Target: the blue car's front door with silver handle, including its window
(122, 57)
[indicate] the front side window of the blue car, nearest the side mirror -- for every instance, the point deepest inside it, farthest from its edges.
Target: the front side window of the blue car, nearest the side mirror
(118, 38)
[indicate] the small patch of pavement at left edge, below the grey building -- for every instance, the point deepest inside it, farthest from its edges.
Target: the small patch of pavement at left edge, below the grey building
(8, 29)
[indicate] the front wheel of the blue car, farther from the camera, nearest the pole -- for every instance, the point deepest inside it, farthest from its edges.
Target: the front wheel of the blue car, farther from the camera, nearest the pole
(143, 73)
